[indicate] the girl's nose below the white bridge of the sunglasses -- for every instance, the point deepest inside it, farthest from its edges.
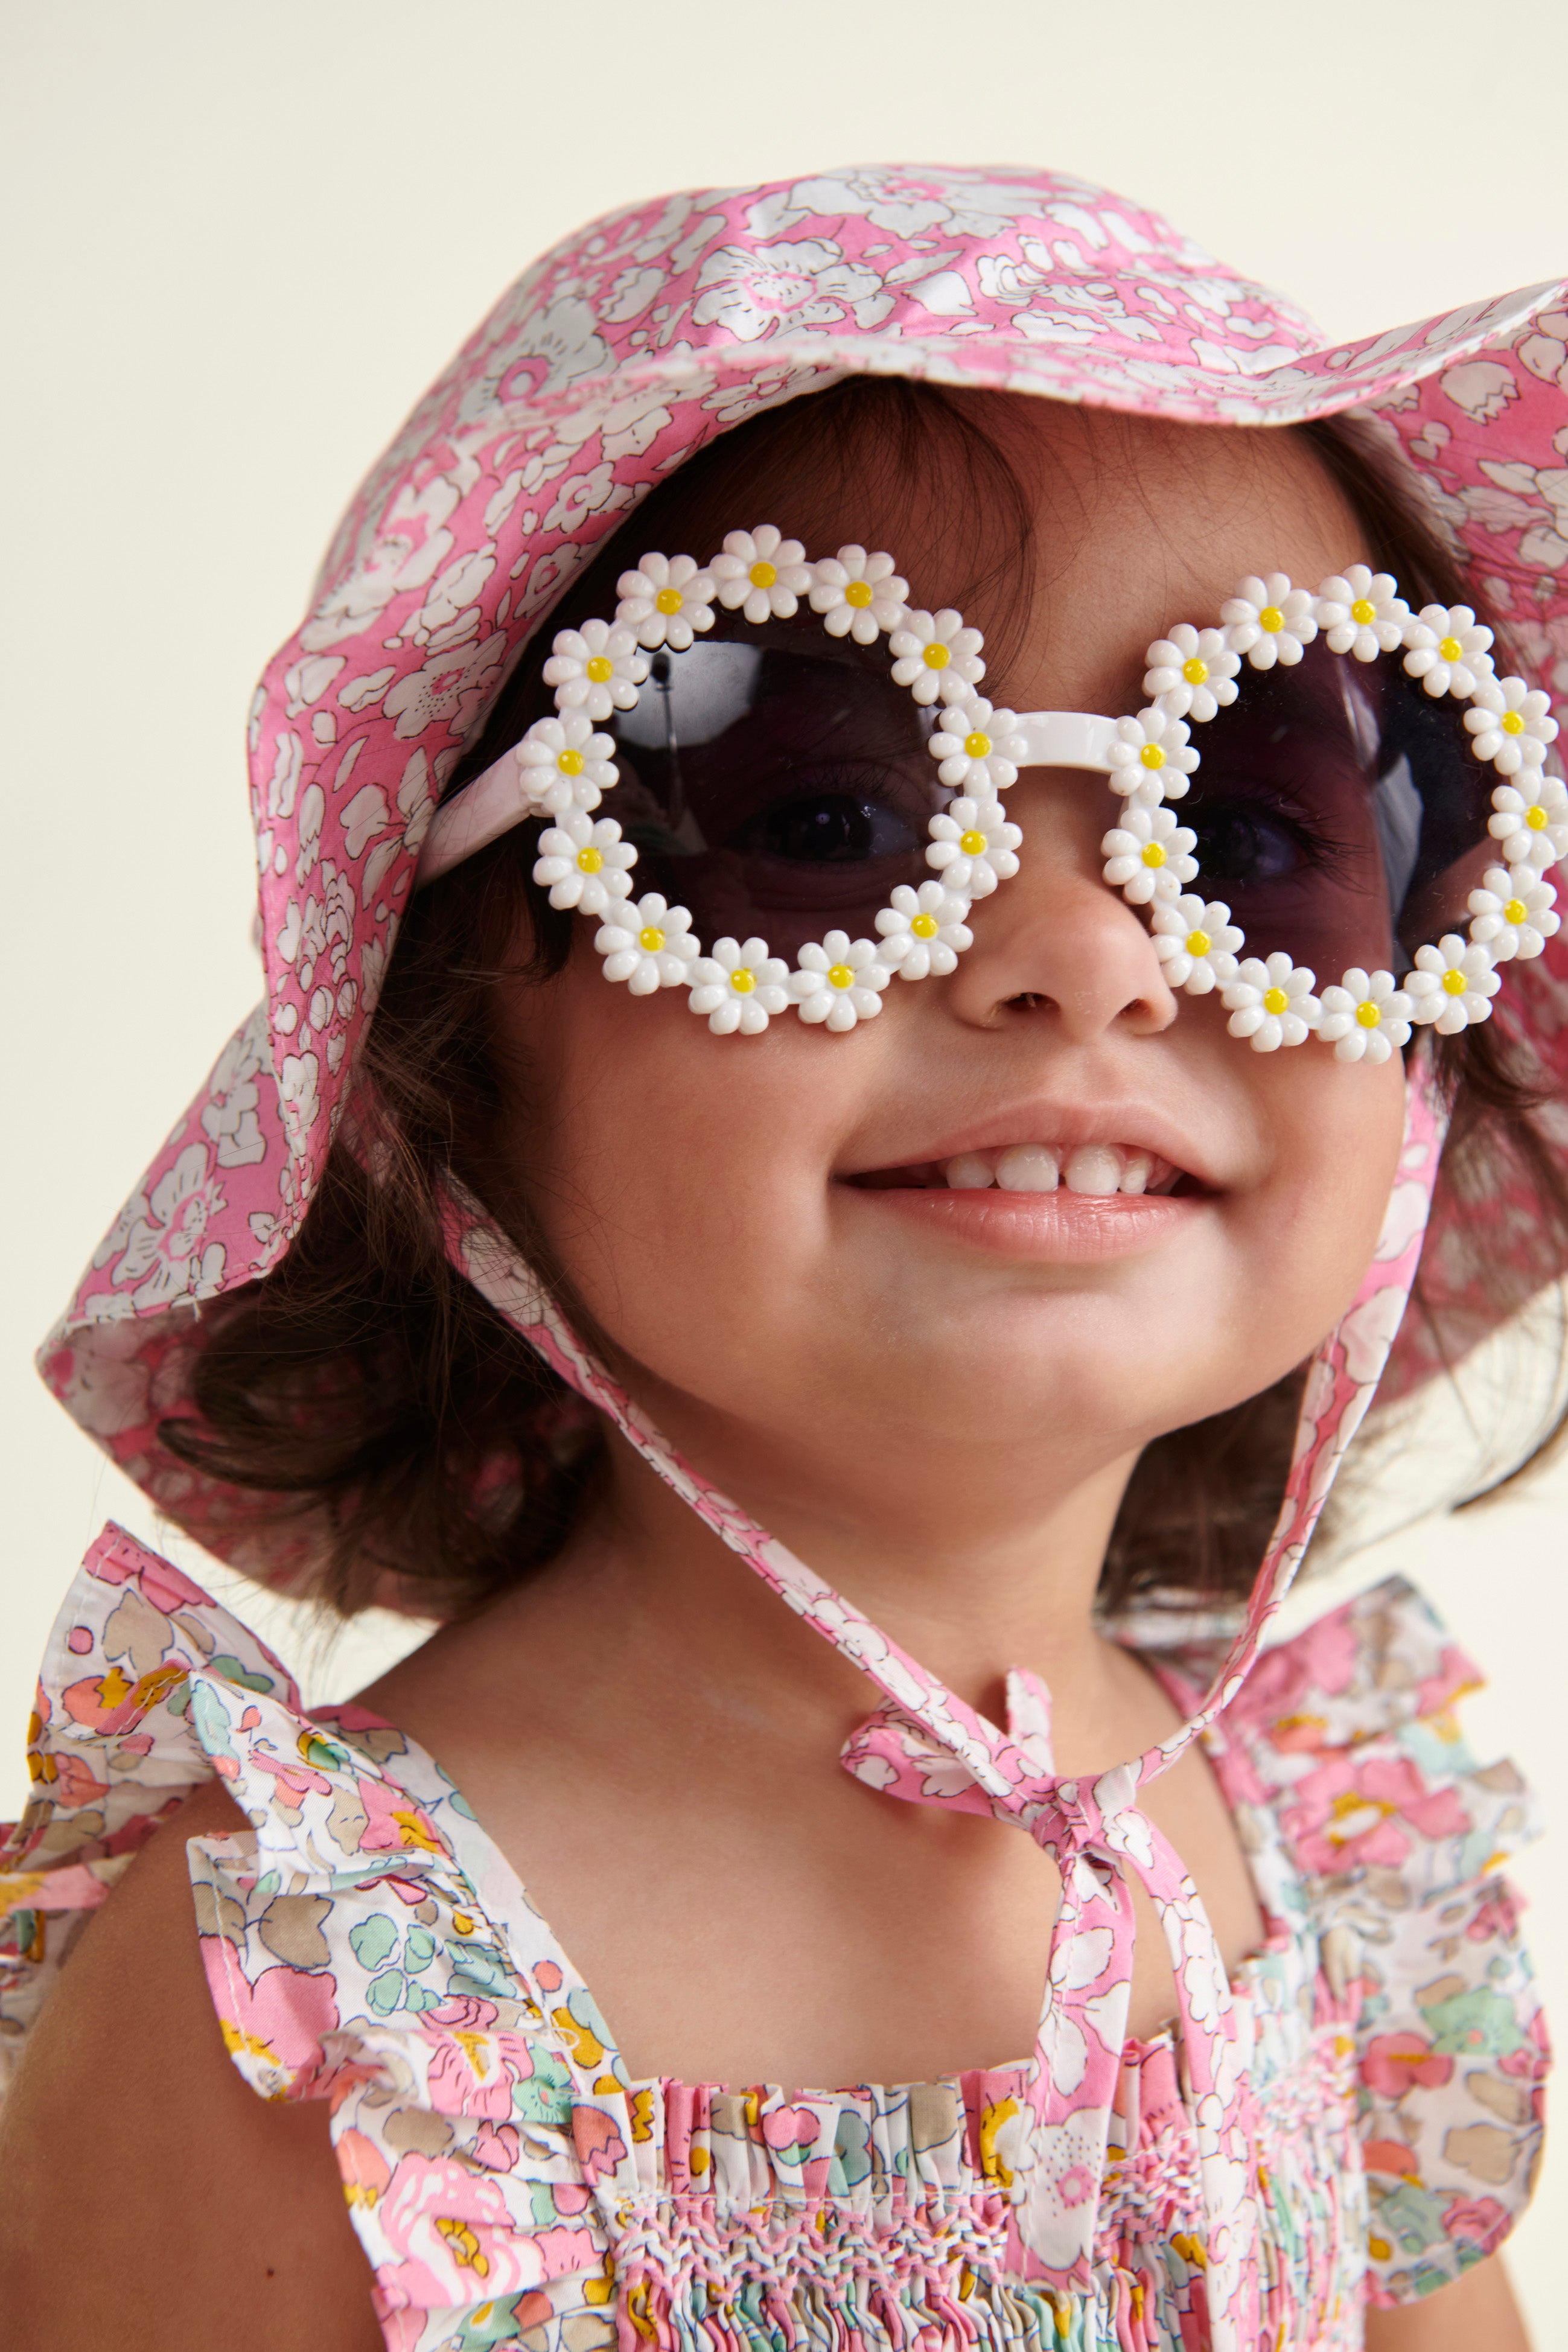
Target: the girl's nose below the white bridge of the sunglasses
(1057, 940)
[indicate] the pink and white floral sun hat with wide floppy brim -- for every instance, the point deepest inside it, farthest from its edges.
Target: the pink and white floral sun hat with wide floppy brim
(612, 361)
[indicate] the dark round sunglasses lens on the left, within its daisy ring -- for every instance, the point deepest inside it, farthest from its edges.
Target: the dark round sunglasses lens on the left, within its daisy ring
(777, 784)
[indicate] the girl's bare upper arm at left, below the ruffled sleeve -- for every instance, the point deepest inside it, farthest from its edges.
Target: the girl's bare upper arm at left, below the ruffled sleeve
(142, 2172)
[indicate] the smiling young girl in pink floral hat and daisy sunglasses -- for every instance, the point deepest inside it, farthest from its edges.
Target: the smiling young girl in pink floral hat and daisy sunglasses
(1106, 848)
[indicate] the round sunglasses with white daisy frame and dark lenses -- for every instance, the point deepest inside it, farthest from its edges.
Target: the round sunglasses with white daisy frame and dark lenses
(1332, 810)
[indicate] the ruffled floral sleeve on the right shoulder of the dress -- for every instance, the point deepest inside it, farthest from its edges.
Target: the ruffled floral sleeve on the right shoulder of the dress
(1348, 1739)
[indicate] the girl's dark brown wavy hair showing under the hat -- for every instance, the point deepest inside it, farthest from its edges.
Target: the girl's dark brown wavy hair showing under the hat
(368, 1391)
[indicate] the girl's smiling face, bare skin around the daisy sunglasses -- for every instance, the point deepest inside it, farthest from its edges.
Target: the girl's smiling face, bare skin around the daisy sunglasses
(763, 1224)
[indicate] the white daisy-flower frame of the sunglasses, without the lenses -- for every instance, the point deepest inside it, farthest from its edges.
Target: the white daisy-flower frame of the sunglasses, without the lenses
(563, 768)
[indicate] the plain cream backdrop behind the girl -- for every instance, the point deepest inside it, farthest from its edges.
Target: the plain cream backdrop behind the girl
(239, 246)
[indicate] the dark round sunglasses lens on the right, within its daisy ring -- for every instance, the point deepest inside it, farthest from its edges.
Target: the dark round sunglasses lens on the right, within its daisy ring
(1339, 813)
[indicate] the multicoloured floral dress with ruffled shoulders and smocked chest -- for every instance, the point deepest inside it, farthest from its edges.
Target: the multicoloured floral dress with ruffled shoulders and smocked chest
(511, 2184)
